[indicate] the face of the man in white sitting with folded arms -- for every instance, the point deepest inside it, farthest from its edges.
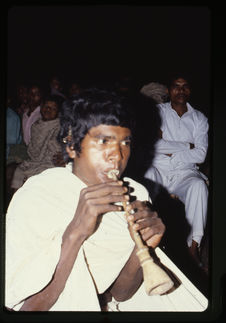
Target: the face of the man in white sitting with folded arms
(179, 91)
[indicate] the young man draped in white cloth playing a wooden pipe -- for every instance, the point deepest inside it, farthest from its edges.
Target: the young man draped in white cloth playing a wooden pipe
(67, 237)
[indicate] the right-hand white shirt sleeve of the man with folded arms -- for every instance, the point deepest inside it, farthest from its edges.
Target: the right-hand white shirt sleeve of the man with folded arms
(196, 155)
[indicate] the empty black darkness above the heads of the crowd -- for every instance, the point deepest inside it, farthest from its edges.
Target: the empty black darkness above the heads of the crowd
(102, 42)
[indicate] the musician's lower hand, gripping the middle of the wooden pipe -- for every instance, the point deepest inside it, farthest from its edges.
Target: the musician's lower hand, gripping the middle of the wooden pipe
(146, 222)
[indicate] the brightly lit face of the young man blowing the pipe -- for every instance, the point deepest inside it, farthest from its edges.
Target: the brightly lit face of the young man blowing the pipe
(103, 148)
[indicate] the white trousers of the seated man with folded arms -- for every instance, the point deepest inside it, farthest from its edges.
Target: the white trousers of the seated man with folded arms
(191, 189)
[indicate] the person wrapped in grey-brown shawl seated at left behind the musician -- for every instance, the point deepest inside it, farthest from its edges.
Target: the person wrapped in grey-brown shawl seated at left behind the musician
(43, 145)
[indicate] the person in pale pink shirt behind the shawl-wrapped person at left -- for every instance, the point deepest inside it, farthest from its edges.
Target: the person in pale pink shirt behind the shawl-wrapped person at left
(32, 112)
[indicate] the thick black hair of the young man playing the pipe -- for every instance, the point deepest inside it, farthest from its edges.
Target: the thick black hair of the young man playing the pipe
(89, 109)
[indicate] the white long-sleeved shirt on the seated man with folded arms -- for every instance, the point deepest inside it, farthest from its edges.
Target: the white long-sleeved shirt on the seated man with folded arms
(177, 134)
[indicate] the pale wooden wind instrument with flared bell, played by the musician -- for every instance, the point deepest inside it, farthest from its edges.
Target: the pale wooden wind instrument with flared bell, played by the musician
(156, 280)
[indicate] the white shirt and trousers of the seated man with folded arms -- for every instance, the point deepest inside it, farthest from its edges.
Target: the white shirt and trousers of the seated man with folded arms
(179, 174)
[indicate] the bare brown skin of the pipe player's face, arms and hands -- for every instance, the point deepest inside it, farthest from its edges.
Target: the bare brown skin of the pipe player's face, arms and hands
(103, 148)
